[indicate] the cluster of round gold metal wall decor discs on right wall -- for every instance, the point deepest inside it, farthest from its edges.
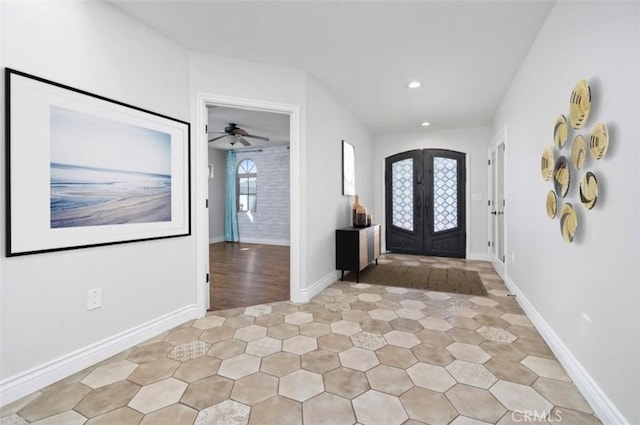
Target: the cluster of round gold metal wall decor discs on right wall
(555, 164)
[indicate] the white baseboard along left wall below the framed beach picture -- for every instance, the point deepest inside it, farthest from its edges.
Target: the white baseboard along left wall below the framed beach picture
(25, 383)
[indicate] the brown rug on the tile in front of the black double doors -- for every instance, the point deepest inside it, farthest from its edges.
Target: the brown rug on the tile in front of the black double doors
(422, 277)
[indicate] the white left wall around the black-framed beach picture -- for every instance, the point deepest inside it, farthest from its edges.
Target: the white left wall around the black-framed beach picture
(146, 285)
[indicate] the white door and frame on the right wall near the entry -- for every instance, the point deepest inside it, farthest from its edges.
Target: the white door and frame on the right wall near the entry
(500, 140)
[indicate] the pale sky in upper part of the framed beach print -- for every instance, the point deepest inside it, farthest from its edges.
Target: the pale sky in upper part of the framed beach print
(91, 141)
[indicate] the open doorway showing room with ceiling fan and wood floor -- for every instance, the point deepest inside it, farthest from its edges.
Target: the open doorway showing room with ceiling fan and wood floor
(249, 191)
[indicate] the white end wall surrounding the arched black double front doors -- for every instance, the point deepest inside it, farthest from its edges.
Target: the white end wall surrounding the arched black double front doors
(474, 142)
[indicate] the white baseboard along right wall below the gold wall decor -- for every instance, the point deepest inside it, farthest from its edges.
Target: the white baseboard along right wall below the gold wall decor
(603, 407)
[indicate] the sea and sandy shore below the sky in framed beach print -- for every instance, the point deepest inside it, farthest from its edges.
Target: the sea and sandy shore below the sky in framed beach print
(87, 196)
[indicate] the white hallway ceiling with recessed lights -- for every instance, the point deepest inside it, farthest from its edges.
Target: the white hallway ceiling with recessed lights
(465, 53)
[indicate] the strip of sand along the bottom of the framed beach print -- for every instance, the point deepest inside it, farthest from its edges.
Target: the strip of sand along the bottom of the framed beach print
(154, 207)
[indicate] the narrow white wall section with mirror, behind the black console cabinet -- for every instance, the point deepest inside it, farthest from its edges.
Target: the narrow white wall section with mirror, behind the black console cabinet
(328, 123)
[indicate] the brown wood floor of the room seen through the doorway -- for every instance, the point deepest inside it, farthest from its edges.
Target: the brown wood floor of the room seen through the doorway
(243, 274)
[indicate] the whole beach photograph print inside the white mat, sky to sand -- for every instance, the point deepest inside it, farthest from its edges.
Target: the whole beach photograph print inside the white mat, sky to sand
(106, 172)
